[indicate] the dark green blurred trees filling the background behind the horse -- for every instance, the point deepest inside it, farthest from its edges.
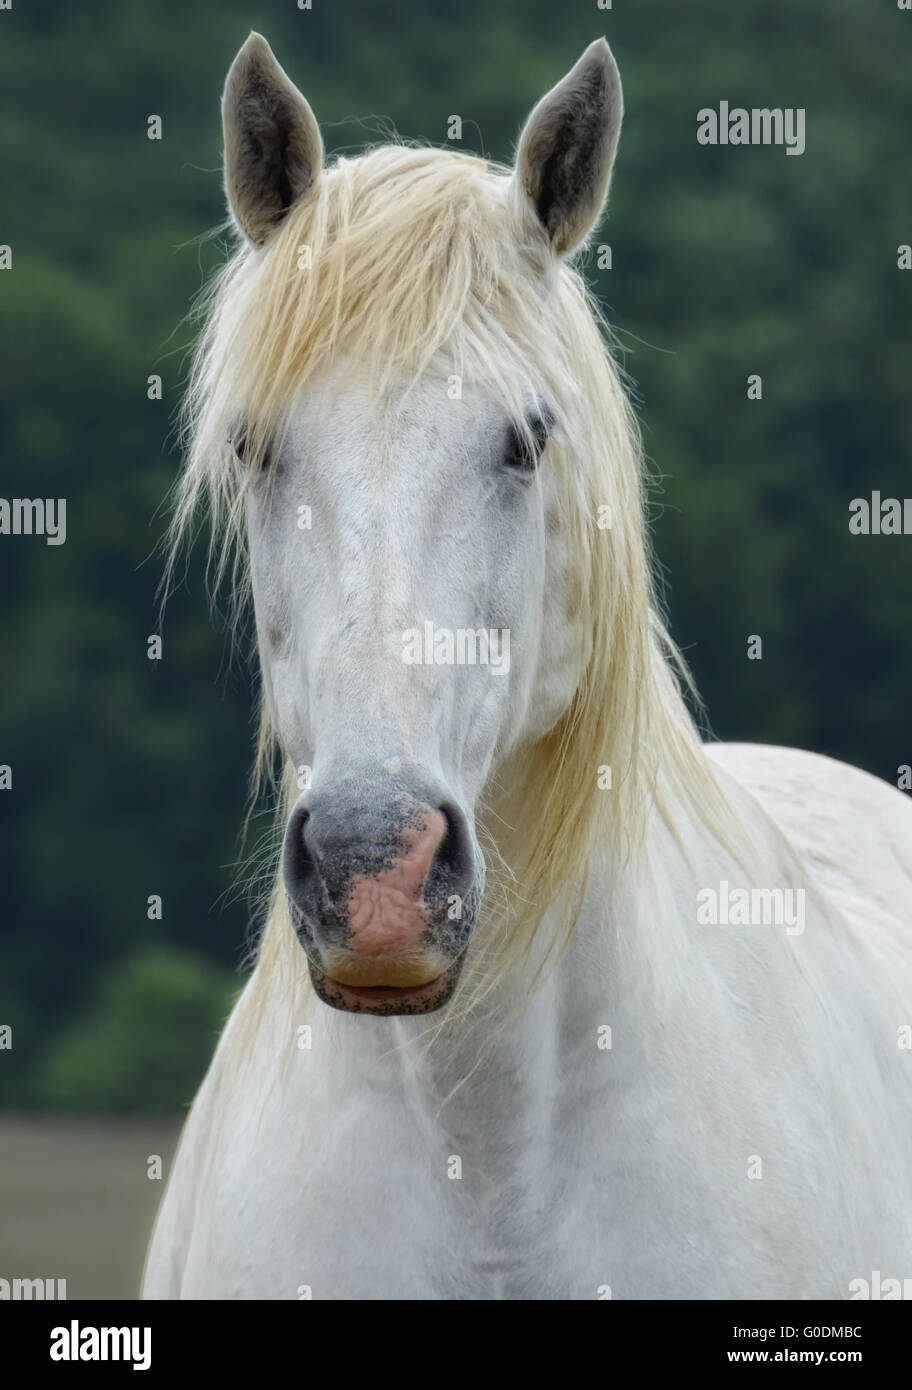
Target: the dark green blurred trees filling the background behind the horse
(130, 776)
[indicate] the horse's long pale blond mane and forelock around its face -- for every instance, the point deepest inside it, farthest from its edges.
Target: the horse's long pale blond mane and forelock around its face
(409, 261)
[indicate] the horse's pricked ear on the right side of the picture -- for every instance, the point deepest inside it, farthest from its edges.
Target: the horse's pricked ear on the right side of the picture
(567, 151)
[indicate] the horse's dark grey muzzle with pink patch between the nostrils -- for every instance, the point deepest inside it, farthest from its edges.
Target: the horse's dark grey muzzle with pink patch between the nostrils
(383, 888)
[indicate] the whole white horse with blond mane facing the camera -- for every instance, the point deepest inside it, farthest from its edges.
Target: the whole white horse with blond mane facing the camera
(664, 1053)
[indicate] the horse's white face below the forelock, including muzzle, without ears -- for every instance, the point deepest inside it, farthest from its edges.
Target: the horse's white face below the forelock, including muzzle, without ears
(398, 562)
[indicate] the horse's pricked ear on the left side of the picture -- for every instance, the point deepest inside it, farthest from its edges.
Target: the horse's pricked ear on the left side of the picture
(273, 145)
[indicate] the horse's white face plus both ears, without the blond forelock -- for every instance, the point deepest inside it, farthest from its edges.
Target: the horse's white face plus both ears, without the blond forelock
(409, 575)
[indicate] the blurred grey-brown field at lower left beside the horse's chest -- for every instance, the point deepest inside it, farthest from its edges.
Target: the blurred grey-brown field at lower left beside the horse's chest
(76, 1200)
